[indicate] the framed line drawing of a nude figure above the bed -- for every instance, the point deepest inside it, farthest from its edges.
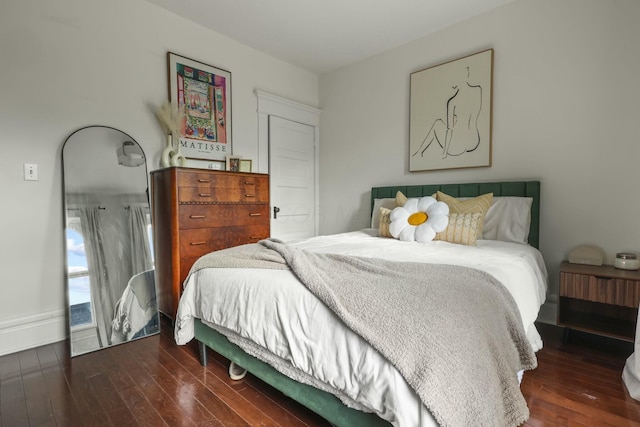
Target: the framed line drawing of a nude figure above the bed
(450, 114)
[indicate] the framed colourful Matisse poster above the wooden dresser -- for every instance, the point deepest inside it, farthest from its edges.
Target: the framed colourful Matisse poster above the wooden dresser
(204, 92)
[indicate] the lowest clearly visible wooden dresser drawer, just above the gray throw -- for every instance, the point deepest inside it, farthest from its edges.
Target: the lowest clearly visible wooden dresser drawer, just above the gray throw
(199, 241)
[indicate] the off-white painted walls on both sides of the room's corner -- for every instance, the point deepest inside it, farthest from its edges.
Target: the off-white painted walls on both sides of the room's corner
(565, 109)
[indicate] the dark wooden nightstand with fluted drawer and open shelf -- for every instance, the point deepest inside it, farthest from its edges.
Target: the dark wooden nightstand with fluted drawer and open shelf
(600, 300)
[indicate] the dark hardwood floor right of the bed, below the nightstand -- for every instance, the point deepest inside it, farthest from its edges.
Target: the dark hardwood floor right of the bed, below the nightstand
(580, 383)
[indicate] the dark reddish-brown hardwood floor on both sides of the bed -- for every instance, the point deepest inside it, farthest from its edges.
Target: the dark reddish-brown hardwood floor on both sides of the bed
(153, 382)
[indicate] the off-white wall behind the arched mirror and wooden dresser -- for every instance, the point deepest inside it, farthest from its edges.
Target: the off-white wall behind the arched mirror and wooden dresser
(71, 63)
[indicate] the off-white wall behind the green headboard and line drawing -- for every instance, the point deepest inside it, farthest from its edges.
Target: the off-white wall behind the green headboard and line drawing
(565, 111)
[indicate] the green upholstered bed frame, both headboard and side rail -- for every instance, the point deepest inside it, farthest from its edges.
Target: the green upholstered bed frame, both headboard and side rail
(325, 404)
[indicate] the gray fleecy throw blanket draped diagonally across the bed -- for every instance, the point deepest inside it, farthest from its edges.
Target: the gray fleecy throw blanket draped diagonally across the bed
(454, 333)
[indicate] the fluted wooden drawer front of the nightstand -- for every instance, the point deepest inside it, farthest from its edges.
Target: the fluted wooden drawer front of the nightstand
(607, 290)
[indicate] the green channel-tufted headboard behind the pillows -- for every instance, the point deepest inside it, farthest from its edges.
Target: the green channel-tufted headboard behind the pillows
(510, 188)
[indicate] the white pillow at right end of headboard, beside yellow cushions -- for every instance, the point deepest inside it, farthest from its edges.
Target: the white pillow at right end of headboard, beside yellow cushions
(508, 219)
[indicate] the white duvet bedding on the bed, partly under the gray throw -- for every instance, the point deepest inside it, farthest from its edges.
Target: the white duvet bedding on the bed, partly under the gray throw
(300, 331)
